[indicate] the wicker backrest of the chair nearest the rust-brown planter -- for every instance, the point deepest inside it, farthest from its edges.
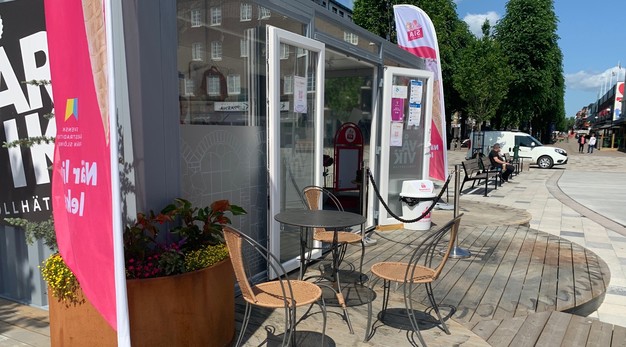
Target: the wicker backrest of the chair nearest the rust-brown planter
(236, 241)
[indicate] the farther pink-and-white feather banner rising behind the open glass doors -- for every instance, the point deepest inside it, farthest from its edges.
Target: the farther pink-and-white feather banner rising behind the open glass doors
(416, 34)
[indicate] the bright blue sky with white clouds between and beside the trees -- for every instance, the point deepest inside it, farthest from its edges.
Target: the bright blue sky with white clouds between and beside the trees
(591, 35)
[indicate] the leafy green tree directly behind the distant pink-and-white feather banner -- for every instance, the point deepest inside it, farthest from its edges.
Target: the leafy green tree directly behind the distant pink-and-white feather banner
(452, 35)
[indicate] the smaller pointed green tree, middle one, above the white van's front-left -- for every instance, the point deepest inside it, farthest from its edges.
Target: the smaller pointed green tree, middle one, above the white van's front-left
(483, 76)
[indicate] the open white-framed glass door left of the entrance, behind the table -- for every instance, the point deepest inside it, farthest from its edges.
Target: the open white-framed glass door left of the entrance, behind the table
(295, 79)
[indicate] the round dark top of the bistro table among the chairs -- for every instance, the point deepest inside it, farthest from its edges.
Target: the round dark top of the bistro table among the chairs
(319, 218)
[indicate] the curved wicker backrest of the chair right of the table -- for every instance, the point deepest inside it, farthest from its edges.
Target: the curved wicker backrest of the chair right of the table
(427, 253)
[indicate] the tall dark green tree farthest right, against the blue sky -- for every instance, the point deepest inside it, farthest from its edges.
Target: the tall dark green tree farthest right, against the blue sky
(527, 33)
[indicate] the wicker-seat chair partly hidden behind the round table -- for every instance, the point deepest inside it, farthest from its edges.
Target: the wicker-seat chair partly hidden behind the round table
(314, 196)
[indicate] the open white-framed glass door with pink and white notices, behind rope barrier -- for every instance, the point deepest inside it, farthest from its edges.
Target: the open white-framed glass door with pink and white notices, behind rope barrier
(405, 134)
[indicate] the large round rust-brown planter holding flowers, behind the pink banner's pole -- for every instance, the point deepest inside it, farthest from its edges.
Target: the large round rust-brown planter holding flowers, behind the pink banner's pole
(191, 309)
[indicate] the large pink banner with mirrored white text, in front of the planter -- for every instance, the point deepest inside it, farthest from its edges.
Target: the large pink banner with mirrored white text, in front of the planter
(81, 184)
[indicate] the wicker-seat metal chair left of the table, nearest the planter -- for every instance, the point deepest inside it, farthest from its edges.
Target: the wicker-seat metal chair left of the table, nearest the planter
(281, 293)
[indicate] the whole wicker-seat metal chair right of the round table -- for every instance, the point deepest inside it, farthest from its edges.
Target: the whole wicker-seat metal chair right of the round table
(424, 267)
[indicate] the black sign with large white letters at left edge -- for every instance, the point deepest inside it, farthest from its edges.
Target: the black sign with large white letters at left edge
(24, 175)
